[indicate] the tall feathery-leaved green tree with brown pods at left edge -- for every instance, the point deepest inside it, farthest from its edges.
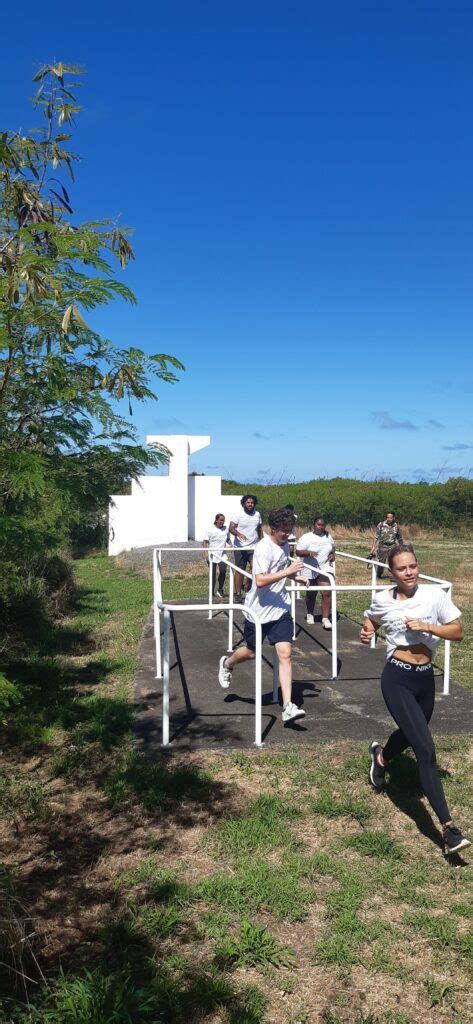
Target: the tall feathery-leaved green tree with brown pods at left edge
(64, 441)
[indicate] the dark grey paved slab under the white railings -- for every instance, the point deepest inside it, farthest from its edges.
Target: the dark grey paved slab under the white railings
(205, 716)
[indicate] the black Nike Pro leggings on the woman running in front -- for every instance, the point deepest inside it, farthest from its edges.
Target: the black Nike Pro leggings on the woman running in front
(410, 695)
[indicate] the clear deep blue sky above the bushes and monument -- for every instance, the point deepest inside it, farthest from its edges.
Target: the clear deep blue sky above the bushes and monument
(299, 181)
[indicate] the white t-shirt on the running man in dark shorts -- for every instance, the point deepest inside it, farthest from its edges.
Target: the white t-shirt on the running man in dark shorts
(271, 603)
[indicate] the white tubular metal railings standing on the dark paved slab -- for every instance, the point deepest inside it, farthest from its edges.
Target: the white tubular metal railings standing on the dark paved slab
(163, 608)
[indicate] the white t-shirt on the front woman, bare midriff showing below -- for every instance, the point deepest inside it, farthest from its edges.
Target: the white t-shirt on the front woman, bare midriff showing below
(429, 604)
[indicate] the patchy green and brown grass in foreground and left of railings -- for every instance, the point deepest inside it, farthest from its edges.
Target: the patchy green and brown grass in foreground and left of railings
(220, 865)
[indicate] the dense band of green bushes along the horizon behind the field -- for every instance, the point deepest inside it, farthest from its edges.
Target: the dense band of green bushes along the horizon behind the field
(360, 503)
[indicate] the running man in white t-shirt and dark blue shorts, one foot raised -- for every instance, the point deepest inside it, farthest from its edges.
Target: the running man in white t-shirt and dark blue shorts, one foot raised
(270, 600)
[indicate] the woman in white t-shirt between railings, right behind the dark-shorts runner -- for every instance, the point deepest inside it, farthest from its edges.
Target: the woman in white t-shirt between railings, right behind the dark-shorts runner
(318, 550)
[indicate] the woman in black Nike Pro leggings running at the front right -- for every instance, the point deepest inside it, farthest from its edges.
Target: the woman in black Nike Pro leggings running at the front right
(414, 619)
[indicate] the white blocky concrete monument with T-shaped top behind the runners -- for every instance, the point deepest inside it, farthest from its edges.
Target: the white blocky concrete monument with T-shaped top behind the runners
(168, 509)
